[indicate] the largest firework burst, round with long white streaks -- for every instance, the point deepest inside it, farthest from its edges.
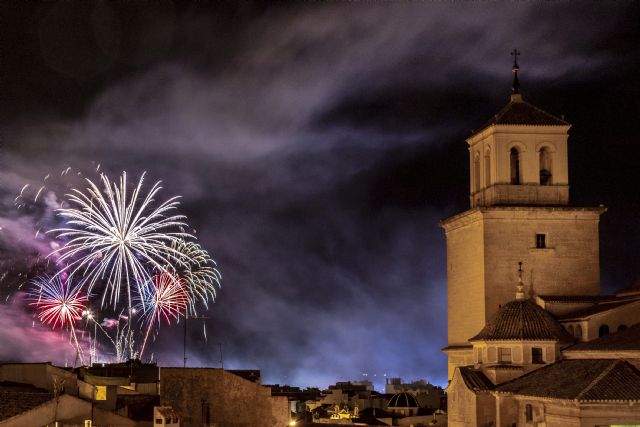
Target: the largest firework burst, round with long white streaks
(113, 230)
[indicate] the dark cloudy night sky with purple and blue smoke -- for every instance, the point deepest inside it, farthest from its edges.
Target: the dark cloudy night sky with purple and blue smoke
(315, 146)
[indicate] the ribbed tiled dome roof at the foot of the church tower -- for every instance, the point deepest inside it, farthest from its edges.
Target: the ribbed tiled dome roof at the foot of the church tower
(522, 320)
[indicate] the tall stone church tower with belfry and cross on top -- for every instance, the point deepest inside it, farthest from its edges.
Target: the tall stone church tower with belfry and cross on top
(520, 212)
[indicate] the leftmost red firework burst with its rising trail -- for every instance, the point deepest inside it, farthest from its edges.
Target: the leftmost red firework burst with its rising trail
(59, 303)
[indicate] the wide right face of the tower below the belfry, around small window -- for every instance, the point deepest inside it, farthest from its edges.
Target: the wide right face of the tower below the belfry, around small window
(569, 265)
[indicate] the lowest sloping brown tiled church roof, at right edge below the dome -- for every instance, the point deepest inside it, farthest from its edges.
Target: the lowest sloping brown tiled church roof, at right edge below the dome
(585, 380)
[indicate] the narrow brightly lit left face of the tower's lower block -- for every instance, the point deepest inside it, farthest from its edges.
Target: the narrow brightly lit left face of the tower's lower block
(465, 276)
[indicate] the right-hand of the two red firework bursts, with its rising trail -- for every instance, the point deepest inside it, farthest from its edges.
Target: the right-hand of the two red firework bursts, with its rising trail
(168, 298)
